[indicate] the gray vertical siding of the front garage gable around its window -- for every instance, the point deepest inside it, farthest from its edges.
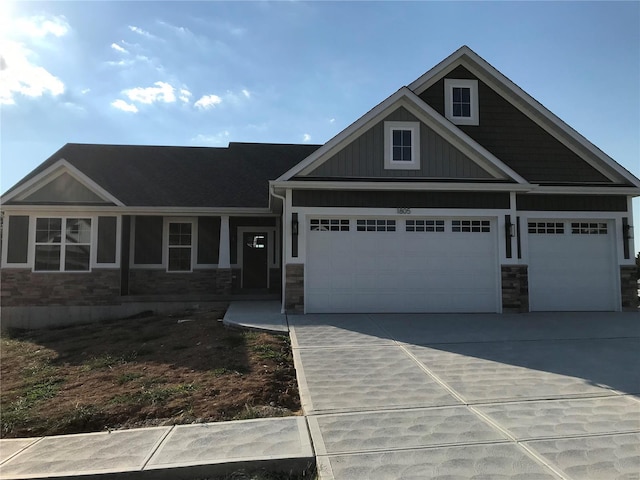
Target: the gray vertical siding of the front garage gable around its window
(364, 157)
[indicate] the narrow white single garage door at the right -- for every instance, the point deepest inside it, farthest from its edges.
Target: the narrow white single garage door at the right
(571, 266)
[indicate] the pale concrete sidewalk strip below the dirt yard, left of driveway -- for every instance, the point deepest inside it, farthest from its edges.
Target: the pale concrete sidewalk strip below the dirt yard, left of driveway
(179, 452)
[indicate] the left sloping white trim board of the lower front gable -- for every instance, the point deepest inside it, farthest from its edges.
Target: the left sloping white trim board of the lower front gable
(333, 145)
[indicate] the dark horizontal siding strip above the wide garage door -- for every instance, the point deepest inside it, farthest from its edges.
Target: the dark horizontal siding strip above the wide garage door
(397, 199)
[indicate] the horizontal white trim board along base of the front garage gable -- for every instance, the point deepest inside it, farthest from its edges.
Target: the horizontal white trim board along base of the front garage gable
(413, 186)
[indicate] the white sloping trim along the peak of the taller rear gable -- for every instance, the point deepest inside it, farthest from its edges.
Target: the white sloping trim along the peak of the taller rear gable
(528, 105)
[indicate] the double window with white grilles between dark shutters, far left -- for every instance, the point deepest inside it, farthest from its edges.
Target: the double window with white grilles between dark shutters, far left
(63, 244)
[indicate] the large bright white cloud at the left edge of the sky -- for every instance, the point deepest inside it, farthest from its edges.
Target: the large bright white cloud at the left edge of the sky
(18, 75)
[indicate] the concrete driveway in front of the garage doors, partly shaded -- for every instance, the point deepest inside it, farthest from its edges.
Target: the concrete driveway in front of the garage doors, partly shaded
(531, 396)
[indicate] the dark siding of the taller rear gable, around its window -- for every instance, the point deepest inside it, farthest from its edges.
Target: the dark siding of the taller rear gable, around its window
(514, 138)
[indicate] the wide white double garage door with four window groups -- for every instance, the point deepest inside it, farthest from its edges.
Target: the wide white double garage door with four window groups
(398, 265)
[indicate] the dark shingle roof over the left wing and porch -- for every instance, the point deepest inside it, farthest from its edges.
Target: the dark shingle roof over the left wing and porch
(146, 176)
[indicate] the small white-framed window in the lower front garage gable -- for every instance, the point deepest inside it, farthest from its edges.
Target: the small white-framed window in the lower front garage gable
(402, 145)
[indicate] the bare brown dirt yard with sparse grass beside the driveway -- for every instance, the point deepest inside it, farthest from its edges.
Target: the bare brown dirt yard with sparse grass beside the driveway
(158, 370)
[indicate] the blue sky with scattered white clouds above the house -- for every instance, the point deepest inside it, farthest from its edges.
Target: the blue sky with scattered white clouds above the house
(206, 73)
